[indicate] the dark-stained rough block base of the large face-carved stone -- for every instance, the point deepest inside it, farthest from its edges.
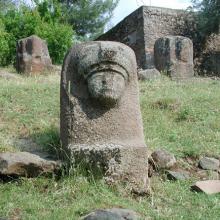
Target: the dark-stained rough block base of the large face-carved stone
(114, 163)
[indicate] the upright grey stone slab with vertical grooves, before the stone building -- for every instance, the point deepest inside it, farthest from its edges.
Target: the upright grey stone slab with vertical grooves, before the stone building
(174, 56)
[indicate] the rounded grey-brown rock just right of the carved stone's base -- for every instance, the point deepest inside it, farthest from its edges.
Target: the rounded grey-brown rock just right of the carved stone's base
(163, 159)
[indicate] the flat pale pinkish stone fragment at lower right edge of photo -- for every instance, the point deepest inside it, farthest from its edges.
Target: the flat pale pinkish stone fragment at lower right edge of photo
(208, 186)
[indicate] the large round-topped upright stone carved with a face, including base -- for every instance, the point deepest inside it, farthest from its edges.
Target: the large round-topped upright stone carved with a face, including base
(101, 125)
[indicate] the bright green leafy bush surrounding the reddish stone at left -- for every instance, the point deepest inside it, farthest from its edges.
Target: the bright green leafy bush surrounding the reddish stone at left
(24, 22)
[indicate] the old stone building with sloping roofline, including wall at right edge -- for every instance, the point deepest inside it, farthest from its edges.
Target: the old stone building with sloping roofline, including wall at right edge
(143, 27)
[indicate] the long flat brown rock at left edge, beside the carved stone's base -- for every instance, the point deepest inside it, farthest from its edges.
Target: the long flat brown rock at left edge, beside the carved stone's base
(25, 164)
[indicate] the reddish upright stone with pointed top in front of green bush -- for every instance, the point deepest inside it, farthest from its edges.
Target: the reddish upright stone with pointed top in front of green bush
(32, 56)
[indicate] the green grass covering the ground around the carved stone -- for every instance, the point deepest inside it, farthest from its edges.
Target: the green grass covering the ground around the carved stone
(183, 118)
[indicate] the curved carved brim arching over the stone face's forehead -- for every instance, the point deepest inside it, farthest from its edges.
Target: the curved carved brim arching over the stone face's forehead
(107, 67)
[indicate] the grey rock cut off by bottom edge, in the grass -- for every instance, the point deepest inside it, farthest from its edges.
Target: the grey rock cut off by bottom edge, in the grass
(112, 214)
